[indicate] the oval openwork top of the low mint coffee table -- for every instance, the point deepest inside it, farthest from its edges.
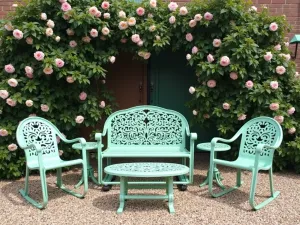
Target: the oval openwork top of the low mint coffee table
(146, 169)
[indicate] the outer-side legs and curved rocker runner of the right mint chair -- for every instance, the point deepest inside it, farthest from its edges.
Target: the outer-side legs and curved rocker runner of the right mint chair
(253, 190)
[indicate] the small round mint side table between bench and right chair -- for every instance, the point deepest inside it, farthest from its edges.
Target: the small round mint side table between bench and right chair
(218, 148)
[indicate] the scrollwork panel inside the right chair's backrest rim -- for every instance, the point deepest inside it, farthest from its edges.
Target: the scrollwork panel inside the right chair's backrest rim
(261, 132)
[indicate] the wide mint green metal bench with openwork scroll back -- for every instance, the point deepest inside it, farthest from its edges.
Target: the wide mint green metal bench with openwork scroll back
(146, 132)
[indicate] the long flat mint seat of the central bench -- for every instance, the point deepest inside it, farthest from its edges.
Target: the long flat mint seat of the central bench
(146, 151)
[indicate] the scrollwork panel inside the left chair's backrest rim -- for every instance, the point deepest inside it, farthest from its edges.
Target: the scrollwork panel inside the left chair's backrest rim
(39, 133)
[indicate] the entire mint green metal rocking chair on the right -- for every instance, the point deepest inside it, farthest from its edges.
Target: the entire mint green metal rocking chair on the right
(260, 137)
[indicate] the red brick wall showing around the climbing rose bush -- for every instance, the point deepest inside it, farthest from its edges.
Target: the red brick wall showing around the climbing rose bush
(290, 8)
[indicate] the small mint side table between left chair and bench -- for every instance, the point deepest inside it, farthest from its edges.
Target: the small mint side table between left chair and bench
(90, 170)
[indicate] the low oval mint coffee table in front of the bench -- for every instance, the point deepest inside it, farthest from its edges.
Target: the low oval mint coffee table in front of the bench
(146, 169)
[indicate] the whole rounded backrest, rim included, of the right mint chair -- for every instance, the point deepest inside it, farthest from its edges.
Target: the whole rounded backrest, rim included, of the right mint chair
(260, 130)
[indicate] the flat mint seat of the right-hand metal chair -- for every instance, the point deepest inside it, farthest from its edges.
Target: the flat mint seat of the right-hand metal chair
(243, 163)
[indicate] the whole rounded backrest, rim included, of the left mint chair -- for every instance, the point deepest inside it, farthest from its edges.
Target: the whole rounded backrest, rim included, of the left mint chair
(40, 131)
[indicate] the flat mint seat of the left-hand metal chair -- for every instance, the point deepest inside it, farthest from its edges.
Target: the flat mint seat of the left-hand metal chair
(53, 163)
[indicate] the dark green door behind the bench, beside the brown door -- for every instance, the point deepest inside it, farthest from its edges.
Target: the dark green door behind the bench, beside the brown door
(169, 79)
